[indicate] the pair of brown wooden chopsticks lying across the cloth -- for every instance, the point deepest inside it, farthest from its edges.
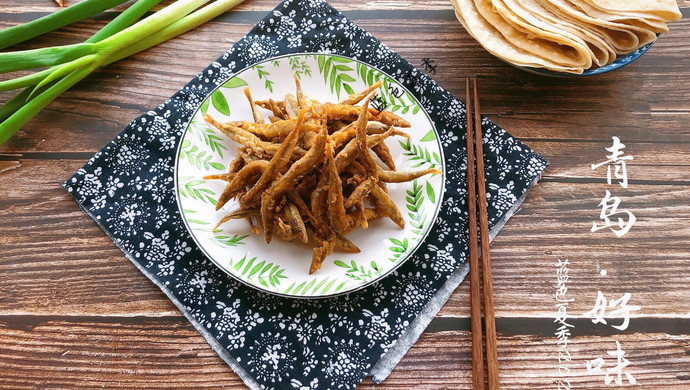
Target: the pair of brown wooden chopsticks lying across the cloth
(475, 150)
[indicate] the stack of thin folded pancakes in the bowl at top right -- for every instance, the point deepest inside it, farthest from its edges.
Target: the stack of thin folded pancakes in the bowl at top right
(568, 36)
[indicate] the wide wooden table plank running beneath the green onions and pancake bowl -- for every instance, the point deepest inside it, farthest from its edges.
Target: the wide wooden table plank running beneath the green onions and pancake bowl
(94, 111)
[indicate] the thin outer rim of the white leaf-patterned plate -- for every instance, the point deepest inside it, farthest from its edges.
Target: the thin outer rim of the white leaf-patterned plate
(380, 277)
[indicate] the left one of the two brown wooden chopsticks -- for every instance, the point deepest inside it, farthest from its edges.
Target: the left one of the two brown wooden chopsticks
(475, 300)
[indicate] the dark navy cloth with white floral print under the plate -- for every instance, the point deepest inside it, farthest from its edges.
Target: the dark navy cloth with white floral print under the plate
(274, 342)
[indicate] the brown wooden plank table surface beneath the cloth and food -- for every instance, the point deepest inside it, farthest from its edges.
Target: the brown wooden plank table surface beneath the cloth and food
(74, 312)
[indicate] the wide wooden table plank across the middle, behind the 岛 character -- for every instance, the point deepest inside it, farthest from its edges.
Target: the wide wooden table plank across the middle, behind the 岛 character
(89, 273)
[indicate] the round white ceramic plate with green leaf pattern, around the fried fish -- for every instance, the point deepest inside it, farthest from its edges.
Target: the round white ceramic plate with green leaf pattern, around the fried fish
(281, 267)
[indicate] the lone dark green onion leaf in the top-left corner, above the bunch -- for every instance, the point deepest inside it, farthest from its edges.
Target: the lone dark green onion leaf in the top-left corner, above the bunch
(65, 16)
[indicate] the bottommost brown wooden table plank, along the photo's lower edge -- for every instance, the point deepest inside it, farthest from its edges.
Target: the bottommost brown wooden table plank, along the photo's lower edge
(169, 353)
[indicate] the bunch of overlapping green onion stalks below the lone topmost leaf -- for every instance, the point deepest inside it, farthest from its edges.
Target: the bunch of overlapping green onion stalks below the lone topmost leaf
(71, 63)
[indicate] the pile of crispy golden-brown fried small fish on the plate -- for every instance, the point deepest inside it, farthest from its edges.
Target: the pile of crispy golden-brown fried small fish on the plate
(308, 174)
